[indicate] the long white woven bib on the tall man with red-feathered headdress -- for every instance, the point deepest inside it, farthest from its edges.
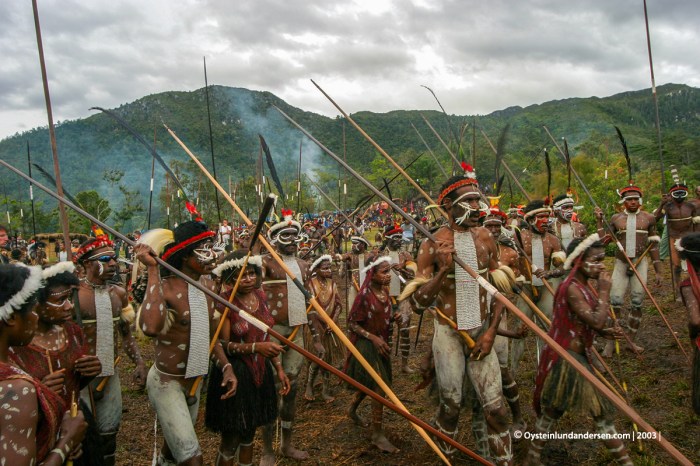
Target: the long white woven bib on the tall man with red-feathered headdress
(466, 288)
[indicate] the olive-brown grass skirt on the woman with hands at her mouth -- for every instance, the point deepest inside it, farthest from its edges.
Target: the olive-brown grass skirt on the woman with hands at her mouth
(565, 390)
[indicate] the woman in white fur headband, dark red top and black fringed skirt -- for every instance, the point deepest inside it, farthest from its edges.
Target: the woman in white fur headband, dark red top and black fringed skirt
(255, 361)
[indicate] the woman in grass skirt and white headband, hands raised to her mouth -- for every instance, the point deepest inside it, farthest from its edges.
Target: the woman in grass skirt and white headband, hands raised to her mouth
(580, 312)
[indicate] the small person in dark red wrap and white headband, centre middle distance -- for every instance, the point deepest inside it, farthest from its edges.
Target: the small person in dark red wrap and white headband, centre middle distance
(369, 322)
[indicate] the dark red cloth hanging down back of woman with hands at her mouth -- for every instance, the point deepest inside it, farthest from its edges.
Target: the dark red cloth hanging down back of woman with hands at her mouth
(565, 327)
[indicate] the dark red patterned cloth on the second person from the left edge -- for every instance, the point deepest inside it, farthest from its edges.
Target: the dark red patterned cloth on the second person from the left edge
(33, 360)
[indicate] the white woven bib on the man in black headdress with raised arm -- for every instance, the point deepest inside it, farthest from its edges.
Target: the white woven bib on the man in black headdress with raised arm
(198, 355)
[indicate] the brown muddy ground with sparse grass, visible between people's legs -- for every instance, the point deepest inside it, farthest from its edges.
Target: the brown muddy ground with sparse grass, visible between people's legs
(659, 390)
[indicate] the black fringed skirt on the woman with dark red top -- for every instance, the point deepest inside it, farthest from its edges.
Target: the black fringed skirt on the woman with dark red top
(251, 406)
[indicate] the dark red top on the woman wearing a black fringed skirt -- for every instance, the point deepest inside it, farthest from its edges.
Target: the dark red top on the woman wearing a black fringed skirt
(244, 332)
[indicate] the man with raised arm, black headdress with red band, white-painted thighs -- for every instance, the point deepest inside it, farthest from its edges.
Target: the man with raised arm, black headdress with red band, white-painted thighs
(182, 319)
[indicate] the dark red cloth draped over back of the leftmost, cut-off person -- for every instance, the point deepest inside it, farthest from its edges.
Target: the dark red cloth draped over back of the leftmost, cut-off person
(50, 406)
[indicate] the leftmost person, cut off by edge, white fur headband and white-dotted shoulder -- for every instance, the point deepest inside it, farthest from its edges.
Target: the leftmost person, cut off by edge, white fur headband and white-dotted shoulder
(31, 426)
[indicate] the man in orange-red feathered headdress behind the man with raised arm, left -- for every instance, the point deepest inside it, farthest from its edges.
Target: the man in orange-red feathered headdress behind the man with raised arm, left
(103, 311)
